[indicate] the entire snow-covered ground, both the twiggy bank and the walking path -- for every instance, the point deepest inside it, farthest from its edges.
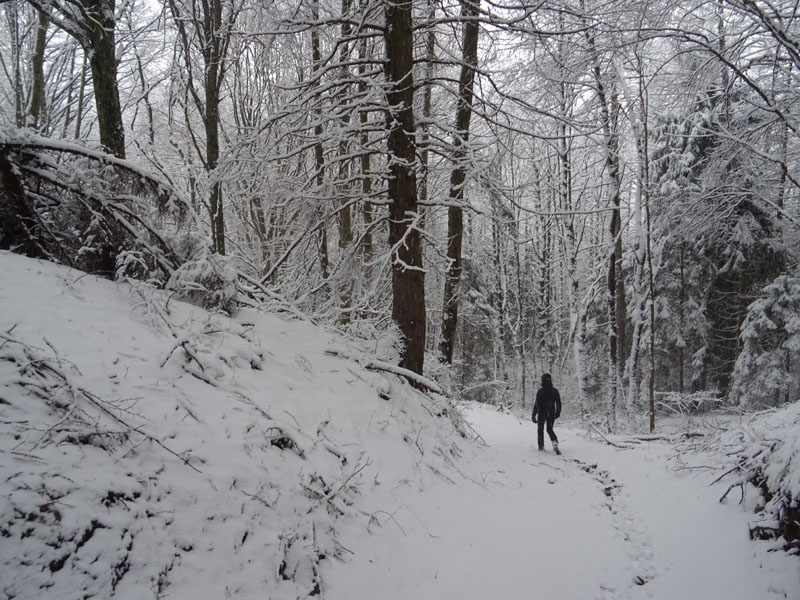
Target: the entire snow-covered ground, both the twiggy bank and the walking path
(151, 450)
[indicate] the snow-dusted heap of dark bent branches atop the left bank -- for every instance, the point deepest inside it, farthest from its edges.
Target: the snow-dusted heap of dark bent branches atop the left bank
(103, 215)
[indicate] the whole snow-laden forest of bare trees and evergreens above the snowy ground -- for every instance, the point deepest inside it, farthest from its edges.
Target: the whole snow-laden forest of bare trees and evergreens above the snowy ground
(607, 191)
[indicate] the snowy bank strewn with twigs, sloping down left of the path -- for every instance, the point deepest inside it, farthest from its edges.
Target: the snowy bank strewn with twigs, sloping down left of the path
(151, 449)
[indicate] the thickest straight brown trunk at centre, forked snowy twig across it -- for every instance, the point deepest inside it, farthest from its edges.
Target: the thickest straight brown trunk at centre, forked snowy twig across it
(408, 277)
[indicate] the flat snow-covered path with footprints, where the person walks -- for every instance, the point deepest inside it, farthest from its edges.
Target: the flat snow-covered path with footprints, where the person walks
(599, 523)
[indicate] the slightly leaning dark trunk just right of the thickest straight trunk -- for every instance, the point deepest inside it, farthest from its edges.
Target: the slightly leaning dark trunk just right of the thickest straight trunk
(455, 217)
